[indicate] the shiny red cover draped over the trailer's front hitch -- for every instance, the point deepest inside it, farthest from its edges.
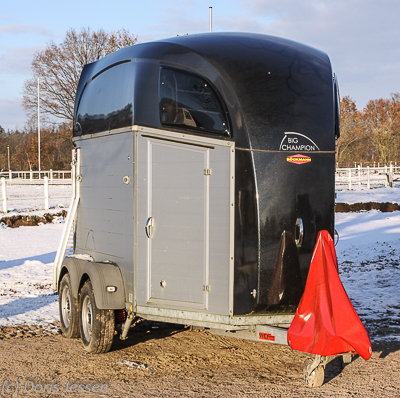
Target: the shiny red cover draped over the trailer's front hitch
(326, 322)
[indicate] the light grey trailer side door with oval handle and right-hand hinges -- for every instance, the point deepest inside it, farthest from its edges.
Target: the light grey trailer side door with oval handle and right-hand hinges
(178, 202)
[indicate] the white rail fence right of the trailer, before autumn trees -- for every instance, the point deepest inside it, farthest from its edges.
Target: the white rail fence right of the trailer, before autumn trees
(367, 177)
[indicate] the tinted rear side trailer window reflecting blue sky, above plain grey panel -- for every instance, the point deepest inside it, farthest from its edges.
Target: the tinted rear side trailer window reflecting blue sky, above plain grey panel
(106, 102)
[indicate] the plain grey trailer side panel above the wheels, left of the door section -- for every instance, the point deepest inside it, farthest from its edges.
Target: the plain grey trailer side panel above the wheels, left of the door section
(105, 213)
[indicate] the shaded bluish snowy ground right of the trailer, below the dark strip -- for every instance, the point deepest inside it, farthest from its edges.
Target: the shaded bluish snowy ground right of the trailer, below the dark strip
(369, 264)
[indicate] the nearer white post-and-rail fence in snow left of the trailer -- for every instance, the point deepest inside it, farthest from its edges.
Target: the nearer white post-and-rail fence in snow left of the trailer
(19, 190)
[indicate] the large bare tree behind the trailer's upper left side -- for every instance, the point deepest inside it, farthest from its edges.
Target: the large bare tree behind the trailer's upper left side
(59, 66)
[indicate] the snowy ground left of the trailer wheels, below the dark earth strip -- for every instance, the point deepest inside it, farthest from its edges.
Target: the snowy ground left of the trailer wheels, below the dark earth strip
(26, 274)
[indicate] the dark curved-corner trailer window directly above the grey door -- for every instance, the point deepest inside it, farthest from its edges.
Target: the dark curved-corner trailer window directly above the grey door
(189, 101)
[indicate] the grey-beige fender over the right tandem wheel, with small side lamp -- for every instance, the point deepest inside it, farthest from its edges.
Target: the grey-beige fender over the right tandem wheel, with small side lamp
(103, 275)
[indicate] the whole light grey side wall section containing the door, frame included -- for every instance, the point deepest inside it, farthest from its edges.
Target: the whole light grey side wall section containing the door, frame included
(186, 185)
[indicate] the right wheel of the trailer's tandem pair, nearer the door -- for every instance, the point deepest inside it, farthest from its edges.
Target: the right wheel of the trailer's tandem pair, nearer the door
(96, 326)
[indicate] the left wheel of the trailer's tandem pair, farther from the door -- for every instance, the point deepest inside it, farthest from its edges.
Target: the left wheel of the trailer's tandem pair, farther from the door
(68, 308)
